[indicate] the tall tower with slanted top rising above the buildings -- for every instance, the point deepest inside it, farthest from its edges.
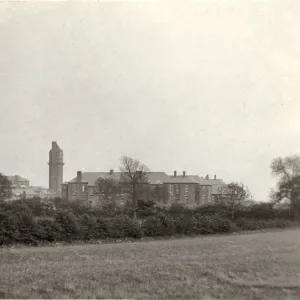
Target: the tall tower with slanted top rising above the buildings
(55, 168)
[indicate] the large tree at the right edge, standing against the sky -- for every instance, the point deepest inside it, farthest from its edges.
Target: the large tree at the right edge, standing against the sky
(287, 170)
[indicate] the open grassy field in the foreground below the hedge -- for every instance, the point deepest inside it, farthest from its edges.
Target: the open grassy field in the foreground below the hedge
(250, 266)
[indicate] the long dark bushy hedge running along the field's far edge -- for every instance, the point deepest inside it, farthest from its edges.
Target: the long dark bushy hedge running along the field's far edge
(35, 222)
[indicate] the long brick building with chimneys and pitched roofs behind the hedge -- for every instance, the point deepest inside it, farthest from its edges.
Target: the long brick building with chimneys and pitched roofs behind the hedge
(189, 190)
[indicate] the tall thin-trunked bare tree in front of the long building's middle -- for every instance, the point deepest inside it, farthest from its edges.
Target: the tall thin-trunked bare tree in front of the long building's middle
(134, 178)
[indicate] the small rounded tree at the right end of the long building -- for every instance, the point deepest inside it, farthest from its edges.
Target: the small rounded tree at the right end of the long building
(236, 195)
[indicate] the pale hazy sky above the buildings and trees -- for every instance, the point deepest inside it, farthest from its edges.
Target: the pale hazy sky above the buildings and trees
(209, 87)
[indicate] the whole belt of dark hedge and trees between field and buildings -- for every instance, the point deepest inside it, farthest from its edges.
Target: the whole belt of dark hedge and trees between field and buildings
(36, 221)
